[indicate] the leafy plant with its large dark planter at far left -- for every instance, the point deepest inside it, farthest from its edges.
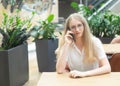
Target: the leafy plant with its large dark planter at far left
(14, 69)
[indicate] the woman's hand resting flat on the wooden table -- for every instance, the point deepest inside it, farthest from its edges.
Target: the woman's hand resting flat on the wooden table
(77, 74)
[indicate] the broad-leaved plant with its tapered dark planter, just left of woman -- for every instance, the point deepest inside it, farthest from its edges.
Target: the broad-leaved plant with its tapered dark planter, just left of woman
(46, 43)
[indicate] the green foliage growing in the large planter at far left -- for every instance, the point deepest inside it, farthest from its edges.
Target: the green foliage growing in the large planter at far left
(14, 30)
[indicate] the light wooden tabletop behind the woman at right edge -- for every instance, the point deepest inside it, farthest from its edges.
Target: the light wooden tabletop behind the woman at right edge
(111, 48)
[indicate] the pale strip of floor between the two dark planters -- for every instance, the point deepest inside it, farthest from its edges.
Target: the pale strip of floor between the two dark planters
(34, 74)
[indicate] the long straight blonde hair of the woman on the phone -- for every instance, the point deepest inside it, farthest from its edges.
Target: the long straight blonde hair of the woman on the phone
(87, 38)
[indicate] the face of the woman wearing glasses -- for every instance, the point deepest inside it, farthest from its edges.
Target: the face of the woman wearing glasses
(76, 27)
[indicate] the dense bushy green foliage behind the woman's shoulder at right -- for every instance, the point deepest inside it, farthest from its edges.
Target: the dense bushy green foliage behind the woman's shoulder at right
(104, 24)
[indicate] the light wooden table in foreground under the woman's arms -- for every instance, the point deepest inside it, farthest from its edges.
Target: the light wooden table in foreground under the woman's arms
(54, 79)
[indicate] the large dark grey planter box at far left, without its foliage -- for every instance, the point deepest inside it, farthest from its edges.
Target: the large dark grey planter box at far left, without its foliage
(14, 66)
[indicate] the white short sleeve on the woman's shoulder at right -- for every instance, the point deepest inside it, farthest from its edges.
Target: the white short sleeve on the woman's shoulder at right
(99, 49)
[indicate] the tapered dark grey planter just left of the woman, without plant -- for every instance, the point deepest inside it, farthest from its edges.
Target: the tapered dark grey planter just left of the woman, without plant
(46, 57)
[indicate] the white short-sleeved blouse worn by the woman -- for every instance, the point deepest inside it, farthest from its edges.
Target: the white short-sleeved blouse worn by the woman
(75, 57)
